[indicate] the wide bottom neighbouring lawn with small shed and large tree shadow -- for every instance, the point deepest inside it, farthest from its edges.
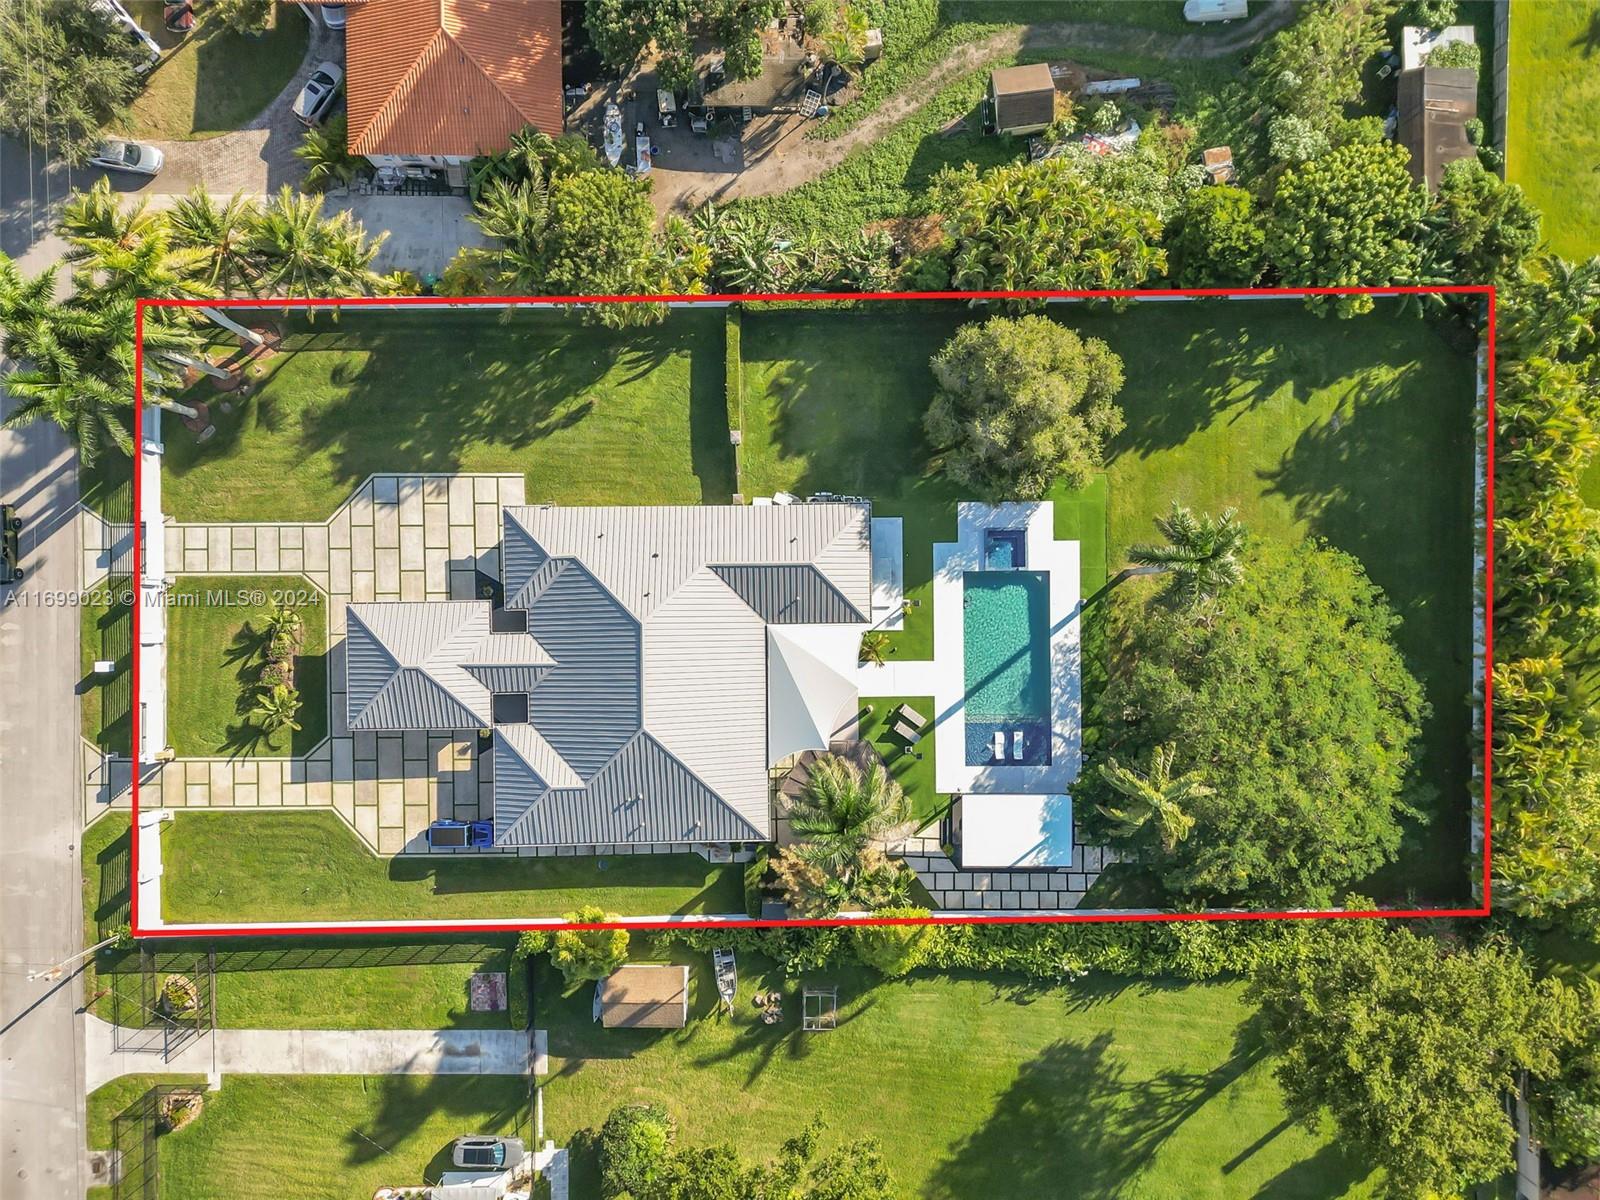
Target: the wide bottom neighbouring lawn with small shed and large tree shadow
(974, 1087)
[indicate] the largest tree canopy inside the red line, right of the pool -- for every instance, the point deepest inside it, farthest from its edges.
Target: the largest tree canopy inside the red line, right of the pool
(1294, 705)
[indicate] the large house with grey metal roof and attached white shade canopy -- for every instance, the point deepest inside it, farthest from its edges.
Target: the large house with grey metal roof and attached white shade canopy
(646, 668)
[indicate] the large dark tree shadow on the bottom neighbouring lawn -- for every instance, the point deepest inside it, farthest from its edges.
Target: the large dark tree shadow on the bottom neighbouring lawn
(1074, 1113)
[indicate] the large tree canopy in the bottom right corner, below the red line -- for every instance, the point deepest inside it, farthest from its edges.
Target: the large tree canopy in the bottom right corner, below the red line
(1412, 1047)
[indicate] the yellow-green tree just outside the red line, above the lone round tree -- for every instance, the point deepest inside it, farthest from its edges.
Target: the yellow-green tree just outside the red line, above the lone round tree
(1042, 226)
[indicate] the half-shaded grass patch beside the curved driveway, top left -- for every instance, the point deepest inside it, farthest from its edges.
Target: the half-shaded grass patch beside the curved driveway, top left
(215, 79)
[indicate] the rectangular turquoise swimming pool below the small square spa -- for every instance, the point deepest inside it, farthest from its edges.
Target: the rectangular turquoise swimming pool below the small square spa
(1006, 634)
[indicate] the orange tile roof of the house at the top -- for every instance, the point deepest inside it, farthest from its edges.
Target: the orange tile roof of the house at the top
(450, 79)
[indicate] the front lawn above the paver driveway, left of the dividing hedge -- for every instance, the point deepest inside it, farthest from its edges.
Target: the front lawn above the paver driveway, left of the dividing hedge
(591, 415)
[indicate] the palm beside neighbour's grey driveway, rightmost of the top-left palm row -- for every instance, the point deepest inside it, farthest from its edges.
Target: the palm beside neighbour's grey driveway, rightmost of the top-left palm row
(298, 252)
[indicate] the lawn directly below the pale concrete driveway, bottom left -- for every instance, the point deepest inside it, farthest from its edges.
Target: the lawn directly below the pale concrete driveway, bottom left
(322, 1137)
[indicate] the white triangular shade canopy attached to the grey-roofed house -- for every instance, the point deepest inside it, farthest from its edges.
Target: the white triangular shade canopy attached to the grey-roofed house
(810, 686)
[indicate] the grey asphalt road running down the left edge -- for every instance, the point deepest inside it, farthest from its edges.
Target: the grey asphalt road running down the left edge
(41, 796)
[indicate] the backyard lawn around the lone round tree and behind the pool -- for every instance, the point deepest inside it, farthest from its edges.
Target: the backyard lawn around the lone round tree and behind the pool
(1308, 426)
